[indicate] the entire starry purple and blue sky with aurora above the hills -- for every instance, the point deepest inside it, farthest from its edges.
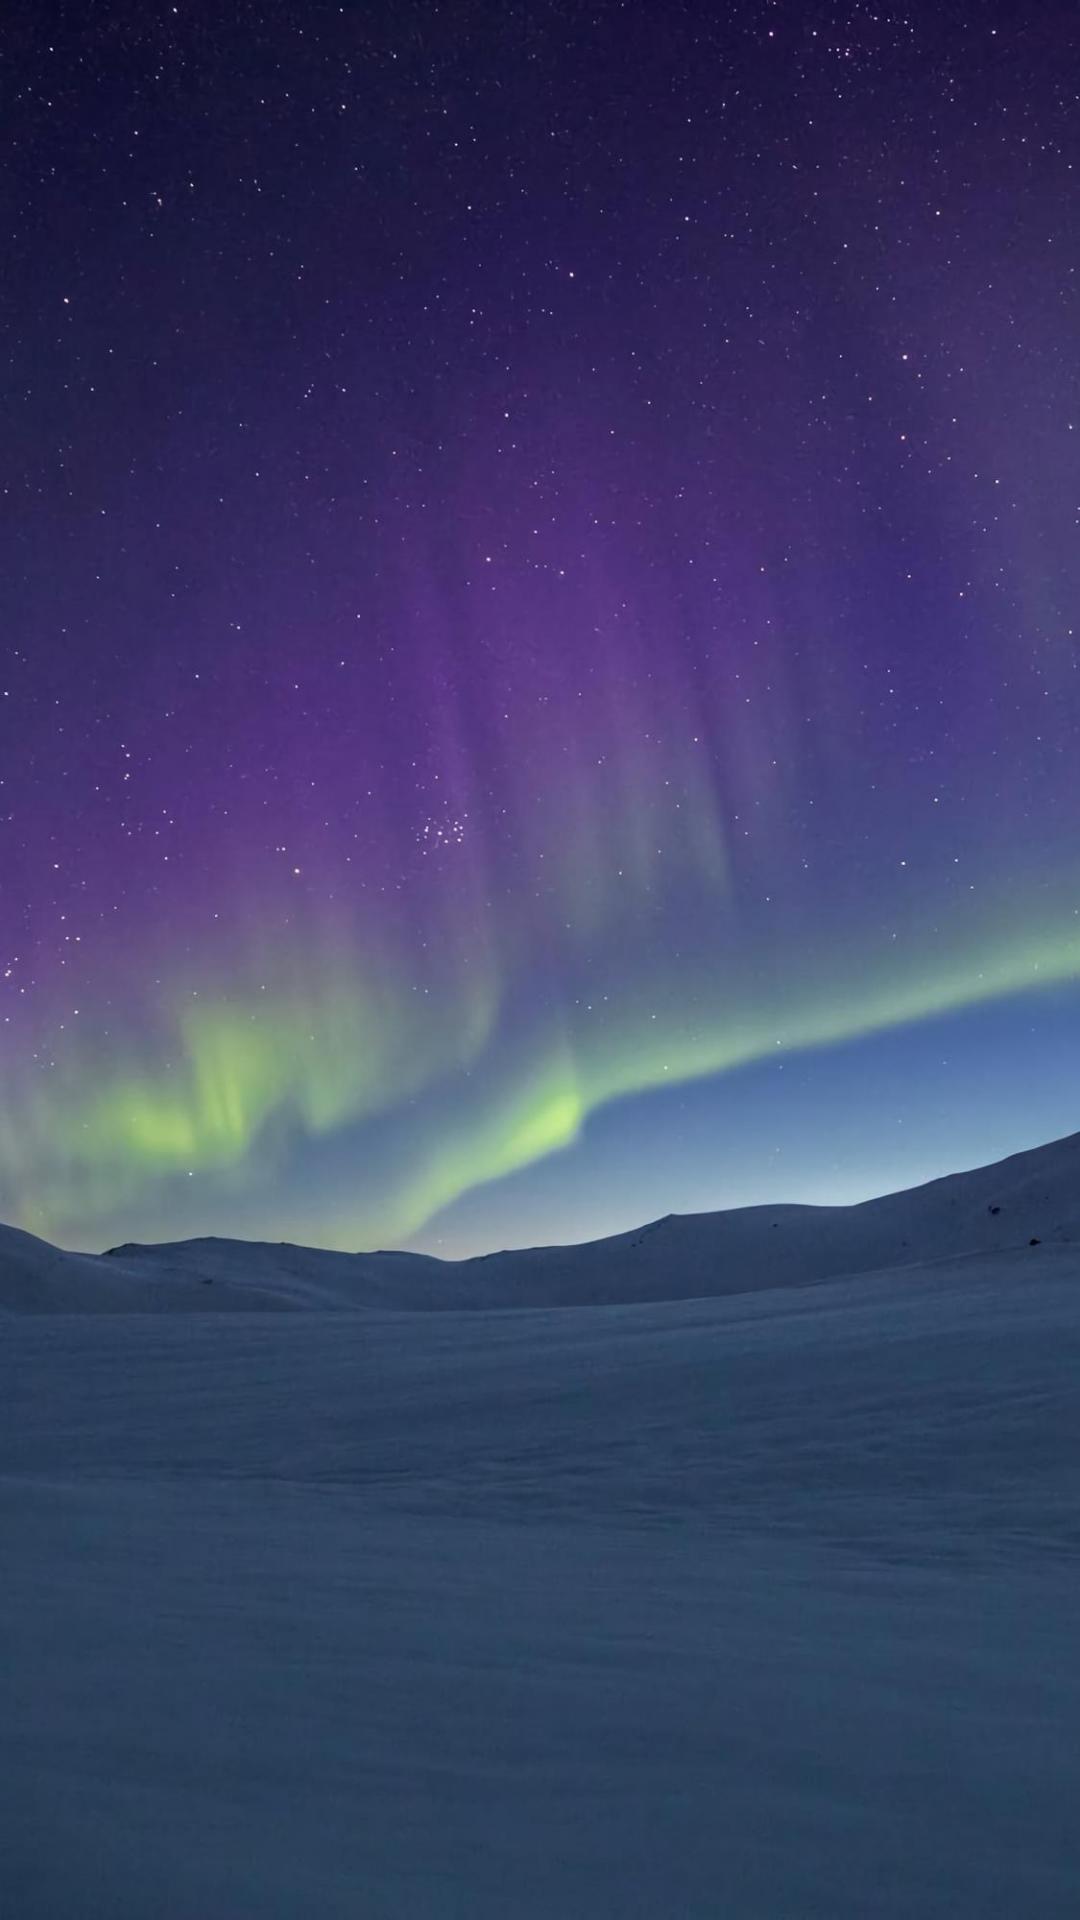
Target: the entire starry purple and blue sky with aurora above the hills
(541, 612)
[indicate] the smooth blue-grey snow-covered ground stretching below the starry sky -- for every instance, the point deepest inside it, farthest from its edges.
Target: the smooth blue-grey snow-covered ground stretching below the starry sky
(756, 1606)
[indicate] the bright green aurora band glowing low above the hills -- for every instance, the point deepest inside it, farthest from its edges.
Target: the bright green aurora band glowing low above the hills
(239, 1080)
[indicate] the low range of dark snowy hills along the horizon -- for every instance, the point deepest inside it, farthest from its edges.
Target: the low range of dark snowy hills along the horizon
(1029, 1197)
